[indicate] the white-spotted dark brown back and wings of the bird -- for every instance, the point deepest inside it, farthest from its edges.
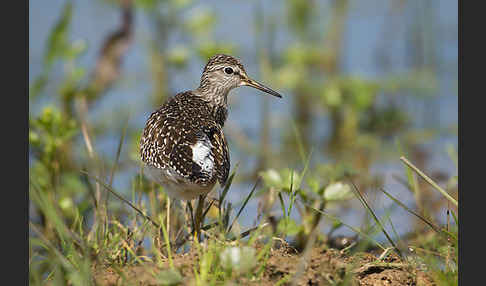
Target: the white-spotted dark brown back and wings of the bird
(172, 131)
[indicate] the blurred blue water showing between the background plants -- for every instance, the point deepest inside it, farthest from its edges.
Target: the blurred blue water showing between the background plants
(367, 22)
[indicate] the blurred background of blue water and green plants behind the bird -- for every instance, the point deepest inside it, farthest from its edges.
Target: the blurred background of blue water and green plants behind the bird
(363, 83)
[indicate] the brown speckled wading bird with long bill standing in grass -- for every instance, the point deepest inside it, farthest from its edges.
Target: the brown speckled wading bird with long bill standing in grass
(183, 147)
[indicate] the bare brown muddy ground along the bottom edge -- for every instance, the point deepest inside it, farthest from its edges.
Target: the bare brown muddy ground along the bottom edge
(323, 267)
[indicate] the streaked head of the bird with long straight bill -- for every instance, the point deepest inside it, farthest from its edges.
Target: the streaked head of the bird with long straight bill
(223, 73)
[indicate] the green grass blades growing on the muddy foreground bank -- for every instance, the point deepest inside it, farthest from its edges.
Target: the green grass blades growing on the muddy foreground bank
(67, 252)
